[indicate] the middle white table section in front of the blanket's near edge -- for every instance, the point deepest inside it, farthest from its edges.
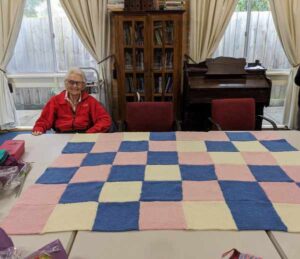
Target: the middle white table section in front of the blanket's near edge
(170, 244)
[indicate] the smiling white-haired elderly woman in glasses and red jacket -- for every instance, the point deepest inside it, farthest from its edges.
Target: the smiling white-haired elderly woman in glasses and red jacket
(73, 110)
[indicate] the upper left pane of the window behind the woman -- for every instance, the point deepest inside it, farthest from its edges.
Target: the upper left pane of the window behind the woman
(33, 50)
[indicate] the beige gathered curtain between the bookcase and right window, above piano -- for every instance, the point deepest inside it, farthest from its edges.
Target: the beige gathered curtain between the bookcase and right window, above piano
(208, 21)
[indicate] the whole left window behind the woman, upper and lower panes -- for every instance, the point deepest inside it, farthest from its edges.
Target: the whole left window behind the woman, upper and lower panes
(47, 43)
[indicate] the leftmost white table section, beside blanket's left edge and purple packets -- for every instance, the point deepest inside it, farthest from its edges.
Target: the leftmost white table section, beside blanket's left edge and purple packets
(41, 151)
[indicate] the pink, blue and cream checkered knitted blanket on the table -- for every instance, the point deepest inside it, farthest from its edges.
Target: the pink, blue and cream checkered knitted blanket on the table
(174, 180)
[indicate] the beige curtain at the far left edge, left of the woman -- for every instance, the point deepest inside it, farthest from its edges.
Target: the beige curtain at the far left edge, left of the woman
(11, 14)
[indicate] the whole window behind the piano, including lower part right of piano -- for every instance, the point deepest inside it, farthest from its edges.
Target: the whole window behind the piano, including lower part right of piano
(251, 33)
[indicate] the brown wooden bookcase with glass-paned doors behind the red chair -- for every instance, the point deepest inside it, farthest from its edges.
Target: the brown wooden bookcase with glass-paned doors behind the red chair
(148, 47)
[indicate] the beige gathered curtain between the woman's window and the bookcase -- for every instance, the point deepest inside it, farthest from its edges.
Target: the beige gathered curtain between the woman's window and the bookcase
(90, 20)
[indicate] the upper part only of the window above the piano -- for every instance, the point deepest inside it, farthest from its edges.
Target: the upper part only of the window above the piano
(251, 34)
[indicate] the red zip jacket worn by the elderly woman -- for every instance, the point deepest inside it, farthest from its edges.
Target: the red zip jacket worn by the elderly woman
(90, 115)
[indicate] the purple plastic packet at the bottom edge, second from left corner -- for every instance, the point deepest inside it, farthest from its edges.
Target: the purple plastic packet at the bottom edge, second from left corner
(55, 249)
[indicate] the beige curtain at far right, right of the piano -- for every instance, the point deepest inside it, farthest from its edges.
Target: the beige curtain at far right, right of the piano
(286, 15)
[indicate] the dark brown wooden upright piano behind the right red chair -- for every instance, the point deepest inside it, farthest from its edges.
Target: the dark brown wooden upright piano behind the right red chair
(218, 78)
